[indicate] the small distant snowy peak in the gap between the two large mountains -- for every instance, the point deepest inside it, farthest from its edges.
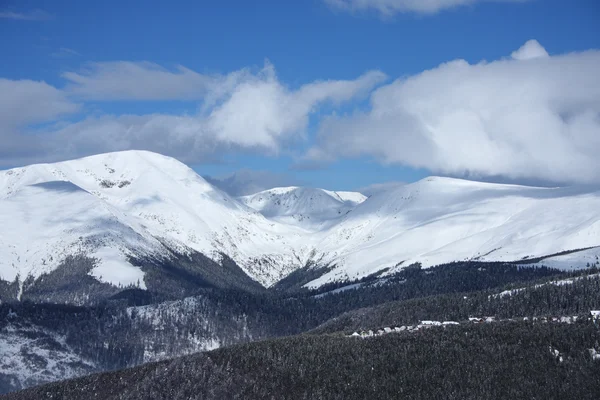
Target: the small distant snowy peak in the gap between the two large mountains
(313, 209)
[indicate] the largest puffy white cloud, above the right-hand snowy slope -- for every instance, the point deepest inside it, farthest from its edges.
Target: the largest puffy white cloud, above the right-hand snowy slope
(532, 116)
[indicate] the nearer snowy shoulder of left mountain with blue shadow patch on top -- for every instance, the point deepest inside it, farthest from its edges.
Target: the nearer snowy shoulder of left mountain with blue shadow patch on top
(47, 221)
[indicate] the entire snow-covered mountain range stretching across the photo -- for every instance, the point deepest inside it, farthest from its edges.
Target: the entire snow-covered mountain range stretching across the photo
(139, 204)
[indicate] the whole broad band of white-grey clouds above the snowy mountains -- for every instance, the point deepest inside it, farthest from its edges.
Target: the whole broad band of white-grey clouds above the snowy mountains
(530, 116)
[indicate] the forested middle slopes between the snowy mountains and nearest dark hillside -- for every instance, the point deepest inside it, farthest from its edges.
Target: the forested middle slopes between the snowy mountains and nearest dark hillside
(41, 343)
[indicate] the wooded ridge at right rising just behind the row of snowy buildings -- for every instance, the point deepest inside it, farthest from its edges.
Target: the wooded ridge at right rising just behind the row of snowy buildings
(552, 298)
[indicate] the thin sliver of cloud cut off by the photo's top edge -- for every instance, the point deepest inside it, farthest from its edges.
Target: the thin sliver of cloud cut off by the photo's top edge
(391, 7)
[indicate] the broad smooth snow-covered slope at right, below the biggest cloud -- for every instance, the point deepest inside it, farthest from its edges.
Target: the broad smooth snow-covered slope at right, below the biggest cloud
(439, 220)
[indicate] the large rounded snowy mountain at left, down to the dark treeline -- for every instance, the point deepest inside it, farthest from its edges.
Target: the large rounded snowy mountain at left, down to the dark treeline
(115, 205)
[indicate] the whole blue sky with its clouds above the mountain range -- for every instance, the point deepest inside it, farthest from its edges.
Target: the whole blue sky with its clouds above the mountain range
(336, 138)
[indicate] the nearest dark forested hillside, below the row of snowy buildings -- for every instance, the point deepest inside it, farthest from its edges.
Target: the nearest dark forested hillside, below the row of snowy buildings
(500, 361)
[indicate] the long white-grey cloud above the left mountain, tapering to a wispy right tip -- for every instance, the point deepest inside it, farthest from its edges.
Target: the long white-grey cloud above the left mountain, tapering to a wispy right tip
(241, 111)
